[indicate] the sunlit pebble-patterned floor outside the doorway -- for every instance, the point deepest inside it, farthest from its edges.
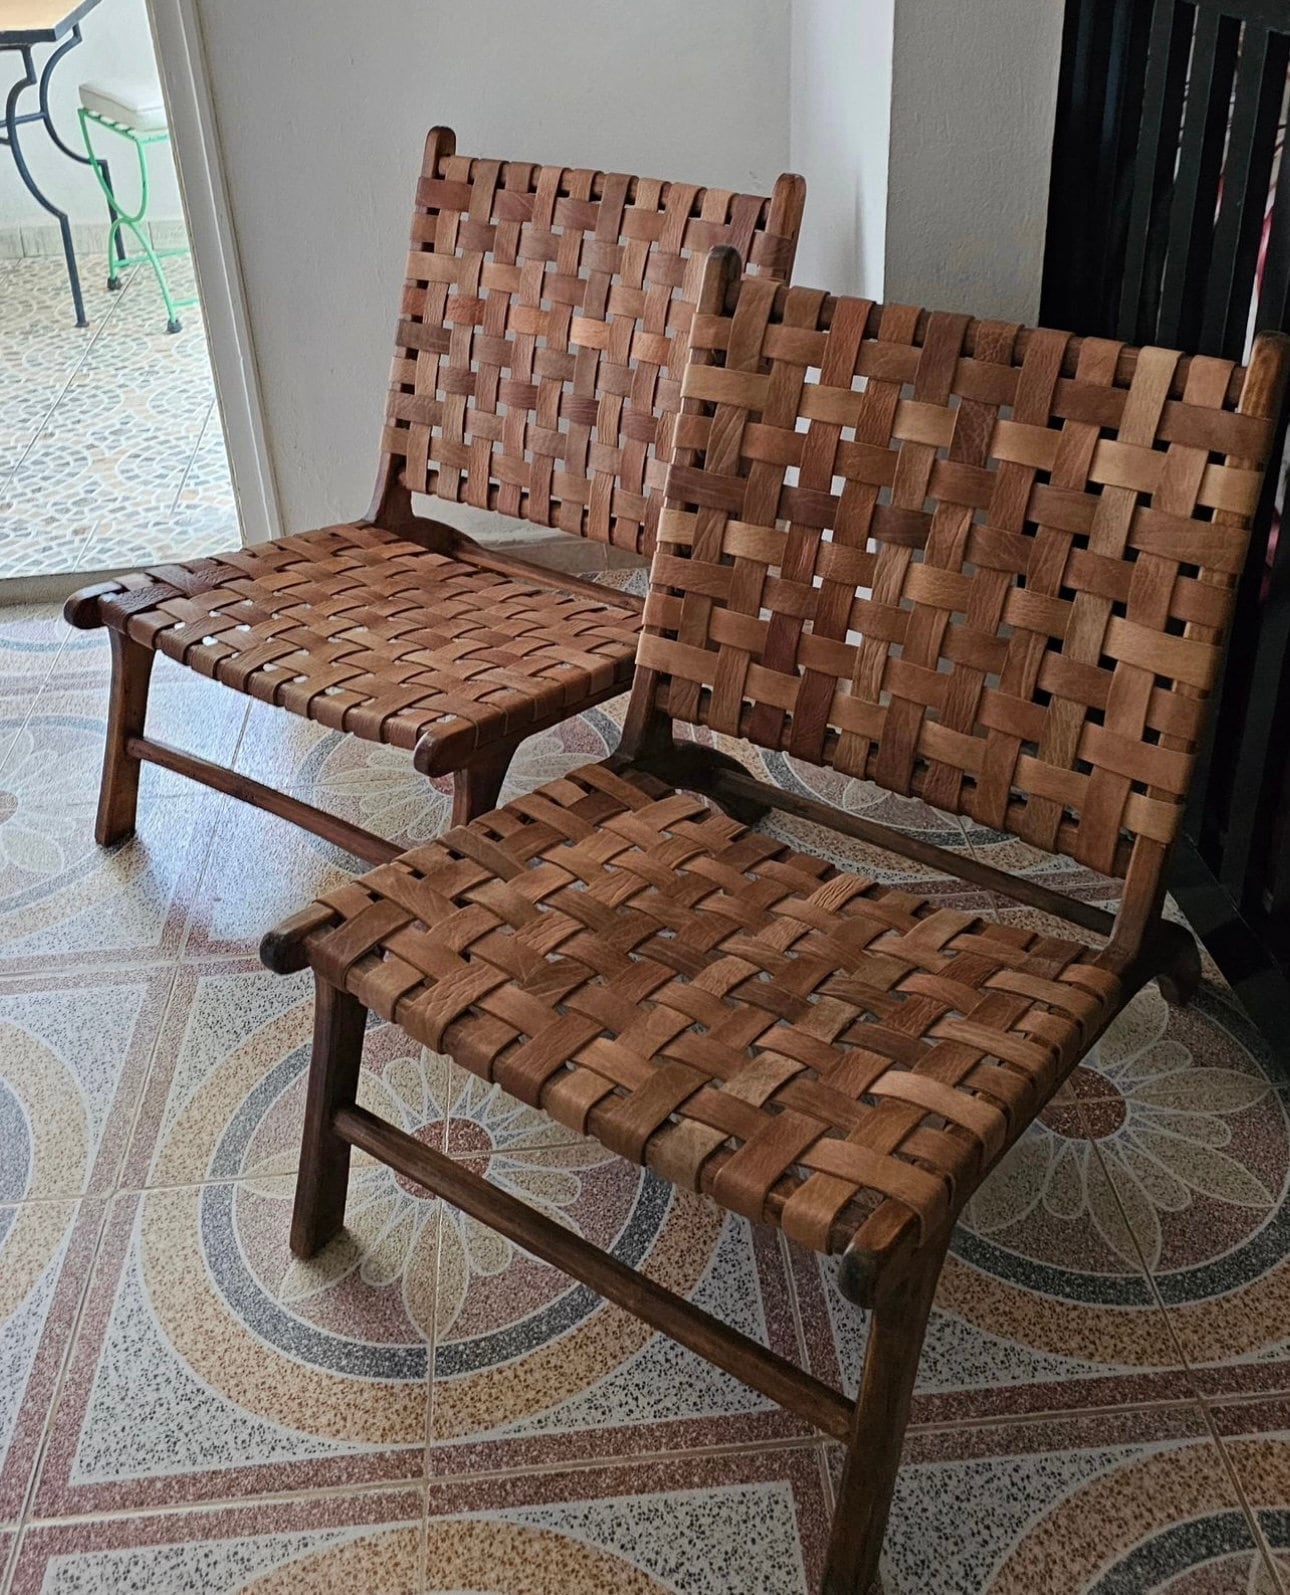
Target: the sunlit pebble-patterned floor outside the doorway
(111, 444)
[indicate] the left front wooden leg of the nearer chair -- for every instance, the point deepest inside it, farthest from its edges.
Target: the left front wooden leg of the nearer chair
(334, 1082)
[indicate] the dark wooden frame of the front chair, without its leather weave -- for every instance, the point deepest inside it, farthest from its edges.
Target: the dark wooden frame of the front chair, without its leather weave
(889, 1267)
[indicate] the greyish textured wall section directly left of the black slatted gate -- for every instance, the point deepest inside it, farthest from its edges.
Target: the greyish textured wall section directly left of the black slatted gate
(973, 93)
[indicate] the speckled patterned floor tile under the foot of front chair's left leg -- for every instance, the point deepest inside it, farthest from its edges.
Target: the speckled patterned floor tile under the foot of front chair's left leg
(210, 1365)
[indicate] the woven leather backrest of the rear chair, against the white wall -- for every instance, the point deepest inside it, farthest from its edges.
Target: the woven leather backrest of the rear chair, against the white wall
(543, 333)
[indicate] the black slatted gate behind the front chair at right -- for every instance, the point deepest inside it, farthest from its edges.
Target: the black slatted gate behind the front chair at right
(1168, 224)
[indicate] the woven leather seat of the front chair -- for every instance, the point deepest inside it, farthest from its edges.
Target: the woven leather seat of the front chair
(803, 1044)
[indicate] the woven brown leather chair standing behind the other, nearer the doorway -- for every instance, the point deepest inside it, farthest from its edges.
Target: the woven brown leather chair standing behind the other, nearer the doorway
(537, 374)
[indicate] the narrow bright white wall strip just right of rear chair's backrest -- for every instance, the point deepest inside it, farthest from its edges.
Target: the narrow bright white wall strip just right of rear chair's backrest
(841, 128)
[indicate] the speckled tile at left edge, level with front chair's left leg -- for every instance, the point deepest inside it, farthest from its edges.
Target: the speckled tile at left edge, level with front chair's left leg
(74, 1052)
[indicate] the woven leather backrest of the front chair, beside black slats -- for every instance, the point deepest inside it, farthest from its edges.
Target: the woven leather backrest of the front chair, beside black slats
(980, 564)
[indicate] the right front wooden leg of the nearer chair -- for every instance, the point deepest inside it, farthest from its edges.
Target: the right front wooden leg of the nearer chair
(897, 1329)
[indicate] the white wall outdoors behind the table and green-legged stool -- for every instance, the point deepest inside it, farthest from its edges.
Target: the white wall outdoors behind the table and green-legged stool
(116, 49)
